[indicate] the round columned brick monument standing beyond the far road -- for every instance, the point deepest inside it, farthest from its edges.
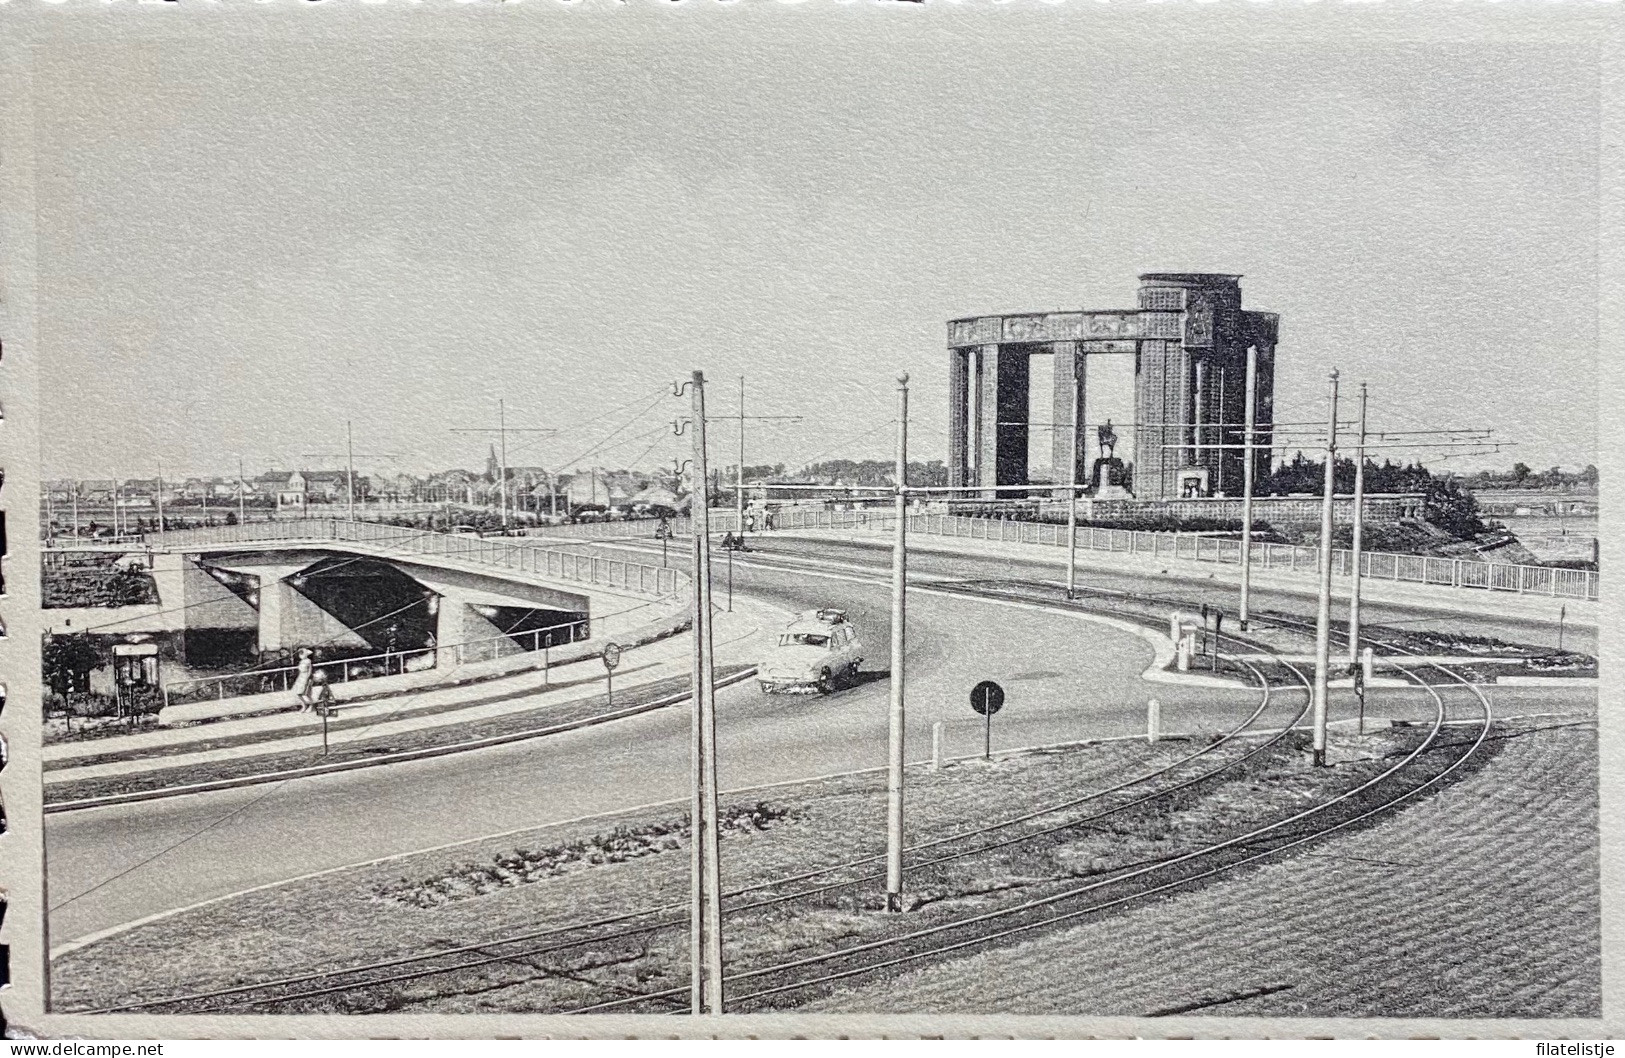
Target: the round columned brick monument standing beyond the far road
(1184, 355)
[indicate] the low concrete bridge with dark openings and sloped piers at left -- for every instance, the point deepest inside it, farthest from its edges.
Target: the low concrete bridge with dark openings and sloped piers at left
(402, 597)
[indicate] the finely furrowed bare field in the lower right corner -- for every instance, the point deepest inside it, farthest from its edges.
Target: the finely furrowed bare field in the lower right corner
(1481, 901)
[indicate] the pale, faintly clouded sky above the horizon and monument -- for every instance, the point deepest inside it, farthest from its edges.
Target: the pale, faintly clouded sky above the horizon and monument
(248, 241)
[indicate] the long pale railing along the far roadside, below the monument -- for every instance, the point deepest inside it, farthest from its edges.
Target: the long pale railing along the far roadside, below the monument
(1197, 549)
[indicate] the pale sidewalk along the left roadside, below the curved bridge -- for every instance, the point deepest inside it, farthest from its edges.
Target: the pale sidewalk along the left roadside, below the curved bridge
(739, 640)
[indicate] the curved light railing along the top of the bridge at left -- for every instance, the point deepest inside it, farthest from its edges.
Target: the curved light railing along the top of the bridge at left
(513, 553)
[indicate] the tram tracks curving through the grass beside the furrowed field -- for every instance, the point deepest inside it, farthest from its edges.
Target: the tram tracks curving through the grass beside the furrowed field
(799, 978)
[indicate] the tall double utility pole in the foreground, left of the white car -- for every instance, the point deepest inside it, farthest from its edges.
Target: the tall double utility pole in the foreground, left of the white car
(706, 891)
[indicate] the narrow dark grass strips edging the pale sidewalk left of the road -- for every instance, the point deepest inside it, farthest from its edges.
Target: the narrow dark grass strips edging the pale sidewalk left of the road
(371, 748)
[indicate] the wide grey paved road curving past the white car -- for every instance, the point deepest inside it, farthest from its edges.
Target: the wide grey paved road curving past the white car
(1068, 679)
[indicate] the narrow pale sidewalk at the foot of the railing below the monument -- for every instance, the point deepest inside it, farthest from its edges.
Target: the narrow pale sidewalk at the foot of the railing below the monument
(1372, 591)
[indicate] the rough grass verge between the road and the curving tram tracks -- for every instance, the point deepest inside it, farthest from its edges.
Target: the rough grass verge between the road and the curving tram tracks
(370, 914)
